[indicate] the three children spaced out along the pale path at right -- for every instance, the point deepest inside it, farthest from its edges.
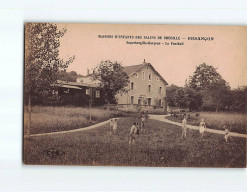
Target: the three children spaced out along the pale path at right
(202, 129)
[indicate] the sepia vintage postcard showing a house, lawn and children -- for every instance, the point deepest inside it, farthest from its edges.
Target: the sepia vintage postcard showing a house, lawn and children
(135, 95)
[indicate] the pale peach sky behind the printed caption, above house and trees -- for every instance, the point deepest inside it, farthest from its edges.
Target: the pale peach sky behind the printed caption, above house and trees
(175, 63)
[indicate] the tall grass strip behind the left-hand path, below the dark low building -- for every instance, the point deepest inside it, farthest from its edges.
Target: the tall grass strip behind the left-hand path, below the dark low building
(50, 119)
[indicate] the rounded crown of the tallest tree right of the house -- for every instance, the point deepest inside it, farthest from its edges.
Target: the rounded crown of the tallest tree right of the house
(203, 76)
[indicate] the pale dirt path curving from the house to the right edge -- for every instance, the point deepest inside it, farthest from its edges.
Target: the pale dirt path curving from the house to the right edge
(163, 118)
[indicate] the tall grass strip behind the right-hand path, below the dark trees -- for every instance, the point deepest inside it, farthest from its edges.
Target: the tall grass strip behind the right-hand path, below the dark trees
(236, 122)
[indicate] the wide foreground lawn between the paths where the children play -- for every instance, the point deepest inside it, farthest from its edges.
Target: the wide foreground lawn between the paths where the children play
(161, 145)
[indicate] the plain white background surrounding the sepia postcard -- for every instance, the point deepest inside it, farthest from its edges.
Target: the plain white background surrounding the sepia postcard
(17, 177)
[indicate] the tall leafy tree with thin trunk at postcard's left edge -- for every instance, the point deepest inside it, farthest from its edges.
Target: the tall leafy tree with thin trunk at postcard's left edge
(42, 61)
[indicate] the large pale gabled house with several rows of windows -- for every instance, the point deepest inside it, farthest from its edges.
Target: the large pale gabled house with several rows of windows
(146, 86)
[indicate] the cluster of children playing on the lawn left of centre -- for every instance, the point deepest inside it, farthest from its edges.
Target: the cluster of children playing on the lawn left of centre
(134, 130)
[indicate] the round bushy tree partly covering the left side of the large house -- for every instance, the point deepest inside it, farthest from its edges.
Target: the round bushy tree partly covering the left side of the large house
(112, 79)
